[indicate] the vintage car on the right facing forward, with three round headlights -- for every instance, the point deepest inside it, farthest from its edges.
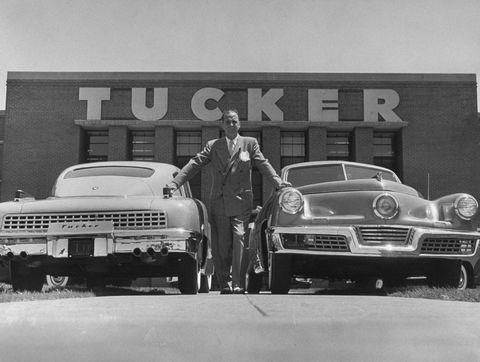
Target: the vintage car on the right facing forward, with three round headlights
(358, 222)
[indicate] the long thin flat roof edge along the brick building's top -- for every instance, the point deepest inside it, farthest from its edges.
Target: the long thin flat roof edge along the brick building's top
(239, 76)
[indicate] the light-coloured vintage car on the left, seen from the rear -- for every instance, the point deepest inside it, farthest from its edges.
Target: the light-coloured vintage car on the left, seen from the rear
(107, 222)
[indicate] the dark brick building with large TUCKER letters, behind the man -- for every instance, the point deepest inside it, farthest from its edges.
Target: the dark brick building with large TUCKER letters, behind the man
(423, 126)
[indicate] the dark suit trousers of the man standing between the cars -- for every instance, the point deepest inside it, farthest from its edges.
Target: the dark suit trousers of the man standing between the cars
(228, 233)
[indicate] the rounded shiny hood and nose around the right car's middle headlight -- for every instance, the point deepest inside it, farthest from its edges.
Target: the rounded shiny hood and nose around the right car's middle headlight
(352, 203)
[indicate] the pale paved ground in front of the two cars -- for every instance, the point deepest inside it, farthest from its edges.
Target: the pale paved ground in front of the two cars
(261, 327)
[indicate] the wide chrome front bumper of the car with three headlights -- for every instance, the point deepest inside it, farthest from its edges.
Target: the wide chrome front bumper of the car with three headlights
(374, 241)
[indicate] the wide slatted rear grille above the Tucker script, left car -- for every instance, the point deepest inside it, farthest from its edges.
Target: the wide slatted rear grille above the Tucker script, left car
(121, 220)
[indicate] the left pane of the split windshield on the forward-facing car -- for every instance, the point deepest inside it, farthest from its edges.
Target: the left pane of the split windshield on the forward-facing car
(300, 176)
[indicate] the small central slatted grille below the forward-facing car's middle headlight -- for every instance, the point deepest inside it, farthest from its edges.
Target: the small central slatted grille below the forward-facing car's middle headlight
(381, 235)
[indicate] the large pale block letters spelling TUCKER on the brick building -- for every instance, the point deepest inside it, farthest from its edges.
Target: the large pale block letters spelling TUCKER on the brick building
(322, 104)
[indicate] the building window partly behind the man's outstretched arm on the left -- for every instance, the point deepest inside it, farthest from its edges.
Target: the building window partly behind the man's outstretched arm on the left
(188, 144)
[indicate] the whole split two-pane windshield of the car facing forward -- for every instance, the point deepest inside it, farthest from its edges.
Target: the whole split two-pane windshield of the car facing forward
(300, 176)
